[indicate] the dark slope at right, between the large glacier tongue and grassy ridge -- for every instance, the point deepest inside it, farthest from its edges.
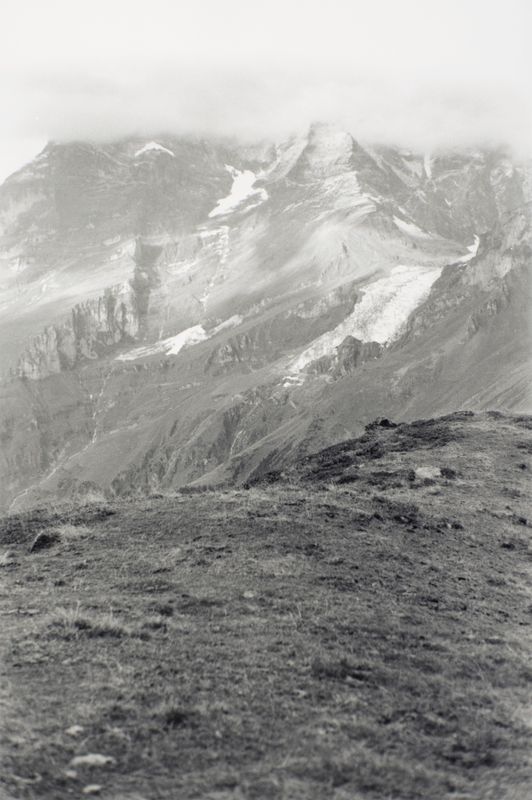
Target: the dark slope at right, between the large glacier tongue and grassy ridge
(467, 346)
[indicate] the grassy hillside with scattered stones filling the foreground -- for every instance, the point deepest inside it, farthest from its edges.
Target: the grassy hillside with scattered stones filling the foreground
(357, 627)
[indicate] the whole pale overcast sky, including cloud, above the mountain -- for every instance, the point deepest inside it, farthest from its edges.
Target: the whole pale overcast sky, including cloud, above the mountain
(421, 73)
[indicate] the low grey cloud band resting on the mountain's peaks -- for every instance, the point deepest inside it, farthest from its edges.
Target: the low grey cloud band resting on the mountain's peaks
(424, 115)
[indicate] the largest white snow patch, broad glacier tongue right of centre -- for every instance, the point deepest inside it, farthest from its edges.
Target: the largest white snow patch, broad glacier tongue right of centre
(381, 313)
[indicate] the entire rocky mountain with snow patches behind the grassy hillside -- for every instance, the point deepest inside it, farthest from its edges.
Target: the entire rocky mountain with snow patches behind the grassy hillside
(181, 310)
